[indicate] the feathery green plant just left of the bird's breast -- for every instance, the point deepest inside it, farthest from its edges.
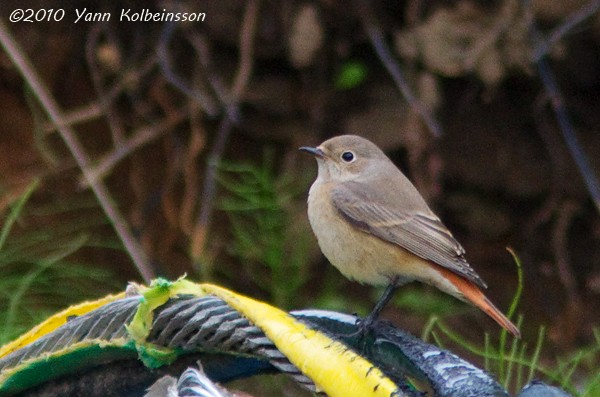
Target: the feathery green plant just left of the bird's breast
(265, 237)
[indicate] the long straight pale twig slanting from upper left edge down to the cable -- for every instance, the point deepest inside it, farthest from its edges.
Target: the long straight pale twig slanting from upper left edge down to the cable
(22, 63)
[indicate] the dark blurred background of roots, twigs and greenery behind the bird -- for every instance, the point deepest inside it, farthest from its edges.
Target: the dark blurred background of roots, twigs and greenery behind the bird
(184, 135)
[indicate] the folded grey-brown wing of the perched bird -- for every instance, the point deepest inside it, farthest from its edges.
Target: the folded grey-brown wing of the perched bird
(422, 234)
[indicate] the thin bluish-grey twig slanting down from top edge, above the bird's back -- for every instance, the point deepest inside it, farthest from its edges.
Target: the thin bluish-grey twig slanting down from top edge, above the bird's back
(376, 37)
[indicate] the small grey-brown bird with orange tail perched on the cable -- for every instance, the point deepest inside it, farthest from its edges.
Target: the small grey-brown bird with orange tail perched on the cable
(374, 227)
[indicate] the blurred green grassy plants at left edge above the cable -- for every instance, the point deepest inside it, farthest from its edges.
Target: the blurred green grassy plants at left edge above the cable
(39, 275)
